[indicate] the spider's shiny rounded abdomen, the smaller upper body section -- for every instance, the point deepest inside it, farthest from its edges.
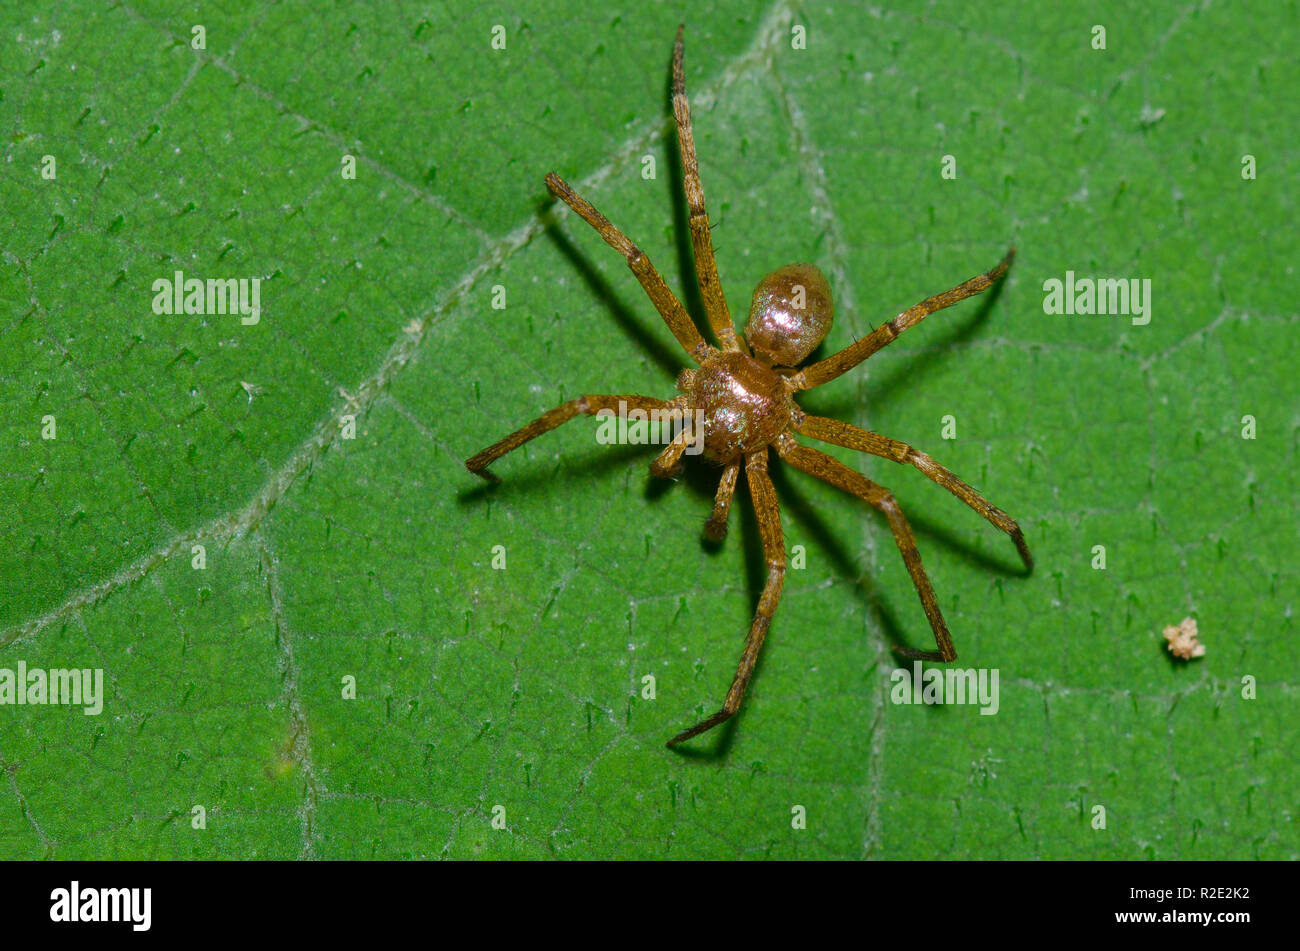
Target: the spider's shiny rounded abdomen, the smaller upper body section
(791, 315)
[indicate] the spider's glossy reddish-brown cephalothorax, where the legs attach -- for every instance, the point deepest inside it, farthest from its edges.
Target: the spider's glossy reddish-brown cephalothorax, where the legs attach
(743, 405)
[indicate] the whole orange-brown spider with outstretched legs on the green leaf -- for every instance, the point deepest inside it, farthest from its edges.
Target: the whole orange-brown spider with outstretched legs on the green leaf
(744, 394)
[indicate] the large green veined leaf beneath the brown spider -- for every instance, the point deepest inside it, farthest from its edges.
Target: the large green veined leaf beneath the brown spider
(371, 558)
